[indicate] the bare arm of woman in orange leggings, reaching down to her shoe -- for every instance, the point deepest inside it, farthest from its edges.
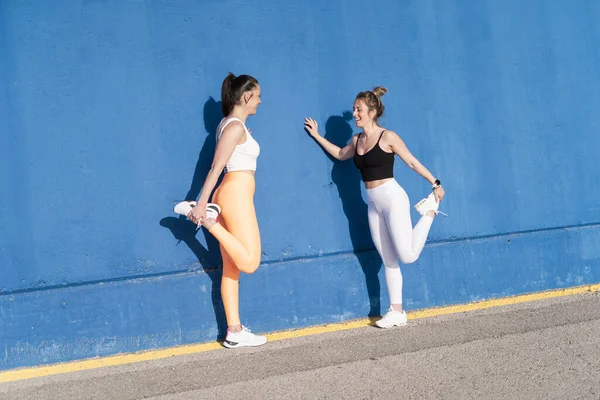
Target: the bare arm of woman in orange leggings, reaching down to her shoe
(230, 138)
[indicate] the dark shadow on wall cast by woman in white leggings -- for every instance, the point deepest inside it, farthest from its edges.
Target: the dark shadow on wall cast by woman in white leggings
(348, 181)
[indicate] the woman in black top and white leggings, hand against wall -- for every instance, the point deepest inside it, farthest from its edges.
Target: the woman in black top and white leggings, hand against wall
(374, 150)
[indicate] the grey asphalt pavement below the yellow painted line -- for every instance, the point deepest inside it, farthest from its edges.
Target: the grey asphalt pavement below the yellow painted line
(547, 349)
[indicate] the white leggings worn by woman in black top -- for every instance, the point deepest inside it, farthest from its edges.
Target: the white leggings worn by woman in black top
(393, 234)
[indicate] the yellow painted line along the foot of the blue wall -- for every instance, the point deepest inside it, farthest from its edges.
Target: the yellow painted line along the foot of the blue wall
(74, 366)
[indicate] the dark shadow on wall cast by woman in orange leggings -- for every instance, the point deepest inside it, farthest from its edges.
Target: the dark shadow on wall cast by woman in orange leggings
(185, 231)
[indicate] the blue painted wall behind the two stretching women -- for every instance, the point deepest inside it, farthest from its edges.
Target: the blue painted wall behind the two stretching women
(107, 118)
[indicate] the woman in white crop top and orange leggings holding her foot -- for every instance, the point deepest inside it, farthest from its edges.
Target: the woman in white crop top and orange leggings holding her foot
(231, 218)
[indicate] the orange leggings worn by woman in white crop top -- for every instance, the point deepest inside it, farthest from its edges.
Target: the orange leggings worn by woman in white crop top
(238, 235)
